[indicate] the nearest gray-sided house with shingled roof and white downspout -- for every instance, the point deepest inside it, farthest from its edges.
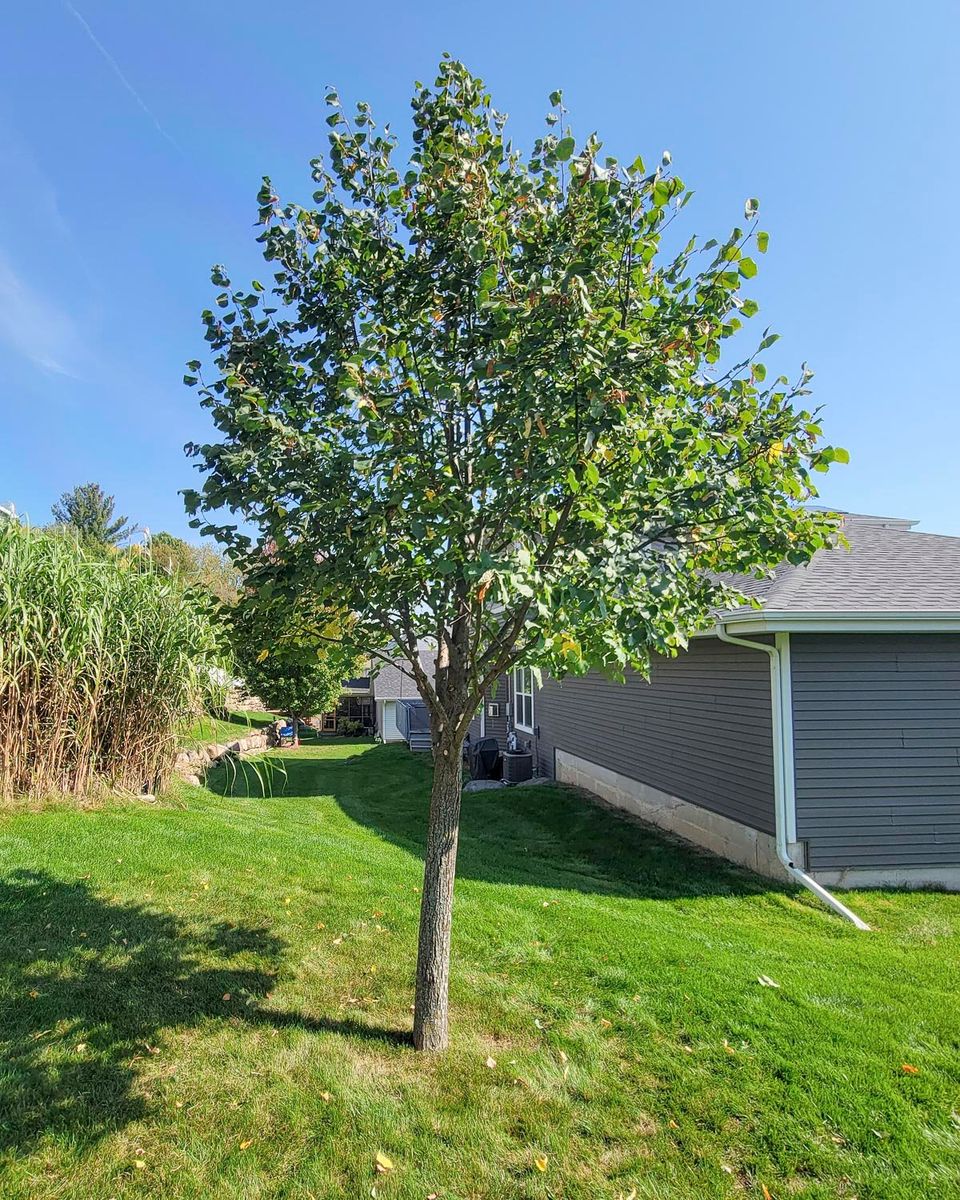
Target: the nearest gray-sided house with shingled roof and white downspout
(821, 733)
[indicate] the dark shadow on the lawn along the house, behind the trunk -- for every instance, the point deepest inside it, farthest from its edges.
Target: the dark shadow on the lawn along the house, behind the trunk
(547, 836)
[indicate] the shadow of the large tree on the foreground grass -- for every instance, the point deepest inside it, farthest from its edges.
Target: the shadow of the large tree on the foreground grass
(88, 987)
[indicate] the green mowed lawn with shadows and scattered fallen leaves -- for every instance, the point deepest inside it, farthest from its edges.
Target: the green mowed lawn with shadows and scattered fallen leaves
(212, 1000)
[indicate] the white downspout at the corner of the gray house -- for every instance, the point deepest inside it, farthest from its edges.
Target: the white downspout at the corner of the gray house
(783, 767)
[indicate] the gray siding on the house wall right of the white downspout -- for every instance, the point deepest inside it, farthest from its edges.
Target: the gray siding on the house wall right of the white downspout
(877, 730)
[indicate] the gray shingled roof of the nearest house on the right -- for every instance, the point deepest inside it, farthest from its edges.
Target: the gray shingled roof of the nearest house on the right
(887, 568)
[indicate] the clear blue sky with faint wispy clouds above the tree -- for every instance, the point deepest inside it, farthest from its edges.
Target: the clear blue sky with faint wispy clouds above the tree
(134, 136)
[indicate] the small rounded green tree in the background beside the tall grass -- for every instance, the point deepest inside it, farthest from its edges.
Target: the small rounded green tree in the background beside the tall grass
(295, 663)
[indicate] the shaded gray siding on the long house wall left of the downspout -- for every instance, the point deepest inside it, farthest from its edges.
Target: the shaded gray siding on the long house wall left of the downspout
(700, 730)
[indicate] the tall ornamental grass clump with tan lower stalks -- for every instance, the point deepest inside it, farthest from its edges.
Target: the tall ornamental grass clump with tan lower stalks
(103, 659)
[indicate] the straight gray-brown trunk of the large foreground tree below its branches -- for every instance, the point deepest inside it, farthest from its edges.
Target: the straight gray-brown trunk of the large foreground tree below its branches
(430, 1019)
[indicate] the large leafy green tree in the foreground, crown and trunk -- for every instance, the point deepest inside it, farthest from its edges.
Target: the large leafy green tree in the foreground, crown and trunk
(483, 404)
